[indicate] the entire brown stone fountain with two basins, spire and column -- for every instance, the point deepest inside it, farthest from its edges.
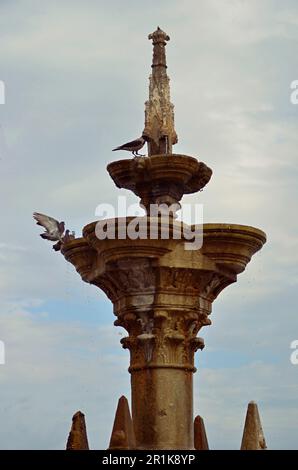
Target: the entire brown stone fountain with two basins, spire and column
(162, 289)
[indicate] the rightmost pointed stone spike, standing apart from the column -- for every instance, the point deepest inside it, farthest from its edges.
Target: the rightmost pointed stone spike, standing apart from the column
(253, 436)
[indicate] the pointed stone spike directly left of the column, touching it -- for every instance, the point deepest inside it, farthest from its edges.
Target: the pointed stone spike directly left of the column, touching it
(123, 436)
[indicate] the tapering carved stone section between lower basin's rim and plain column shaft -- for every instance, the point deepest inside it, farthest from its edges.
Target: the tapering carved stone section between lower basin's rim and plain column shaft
(161, 331)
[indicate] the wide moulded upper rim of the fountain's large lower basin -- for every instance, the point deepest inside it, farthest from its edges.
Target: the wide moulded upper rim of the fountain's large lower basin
(227, 247)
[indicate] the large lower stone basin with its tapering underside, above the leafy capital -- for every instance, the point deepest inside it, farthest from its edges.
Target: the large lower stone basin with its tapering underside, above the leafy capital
(144, 273)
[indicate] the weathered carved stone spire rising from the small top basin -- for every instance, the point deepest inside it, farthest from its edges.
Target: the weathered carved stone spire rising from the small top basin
(159, 111)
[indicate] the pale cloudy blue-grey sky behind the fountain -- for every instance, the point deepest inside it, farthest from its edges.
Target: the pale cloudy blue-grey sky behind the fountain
(76, 77)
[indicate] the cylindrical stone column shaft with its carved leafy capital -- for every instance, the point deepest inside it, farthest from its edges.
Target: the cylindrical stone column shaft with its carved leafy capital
(162, 345)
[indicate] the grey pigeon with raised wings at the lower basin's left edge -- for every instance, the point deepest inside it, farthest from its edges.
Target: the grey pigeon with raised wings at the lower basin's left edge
(54, 230)
